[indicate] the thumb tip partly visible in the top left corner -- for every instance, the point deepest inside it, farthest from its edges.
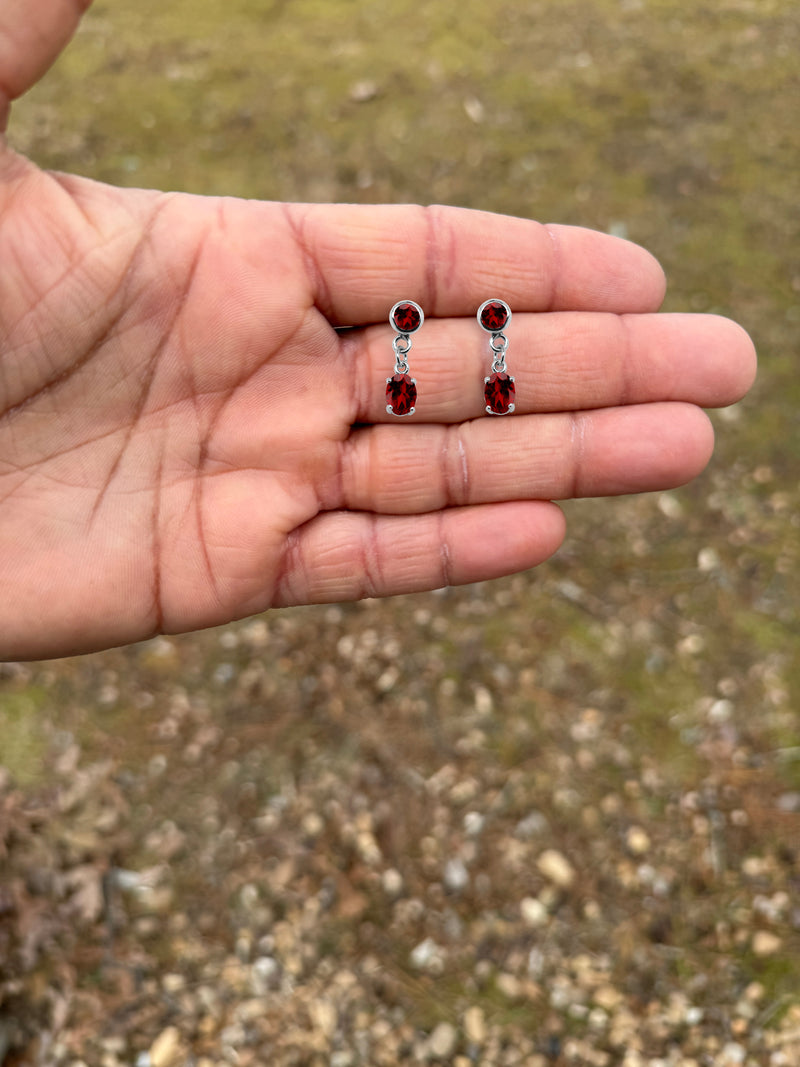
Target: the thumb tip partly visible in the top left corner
(33, 34)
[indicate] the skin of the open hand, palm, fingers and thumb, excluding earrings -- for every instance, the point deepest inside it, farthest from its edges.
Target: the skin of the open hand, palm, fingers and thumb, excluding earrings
(189, 437)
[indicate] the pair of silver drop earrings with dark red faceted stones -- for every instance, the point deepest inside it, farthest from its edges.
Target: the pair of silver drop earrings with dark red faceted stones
(407, 317)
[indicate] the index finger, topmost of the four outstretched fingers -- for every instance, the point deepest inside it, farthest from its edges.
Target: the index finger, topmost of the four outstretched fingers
(360, 261)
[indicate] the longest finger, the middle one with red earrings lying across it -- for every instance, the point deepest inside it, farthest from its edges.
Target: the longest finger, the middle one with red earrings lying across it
(564, 361)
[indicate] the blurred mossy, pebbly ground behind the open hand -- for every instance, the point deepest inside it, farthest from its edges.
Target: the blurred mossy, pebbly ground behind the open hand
(551, 820)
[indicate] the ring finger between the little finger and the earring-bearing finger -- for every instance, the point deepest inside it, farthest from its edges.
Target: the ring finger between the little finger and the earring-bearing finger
(549, 457)
